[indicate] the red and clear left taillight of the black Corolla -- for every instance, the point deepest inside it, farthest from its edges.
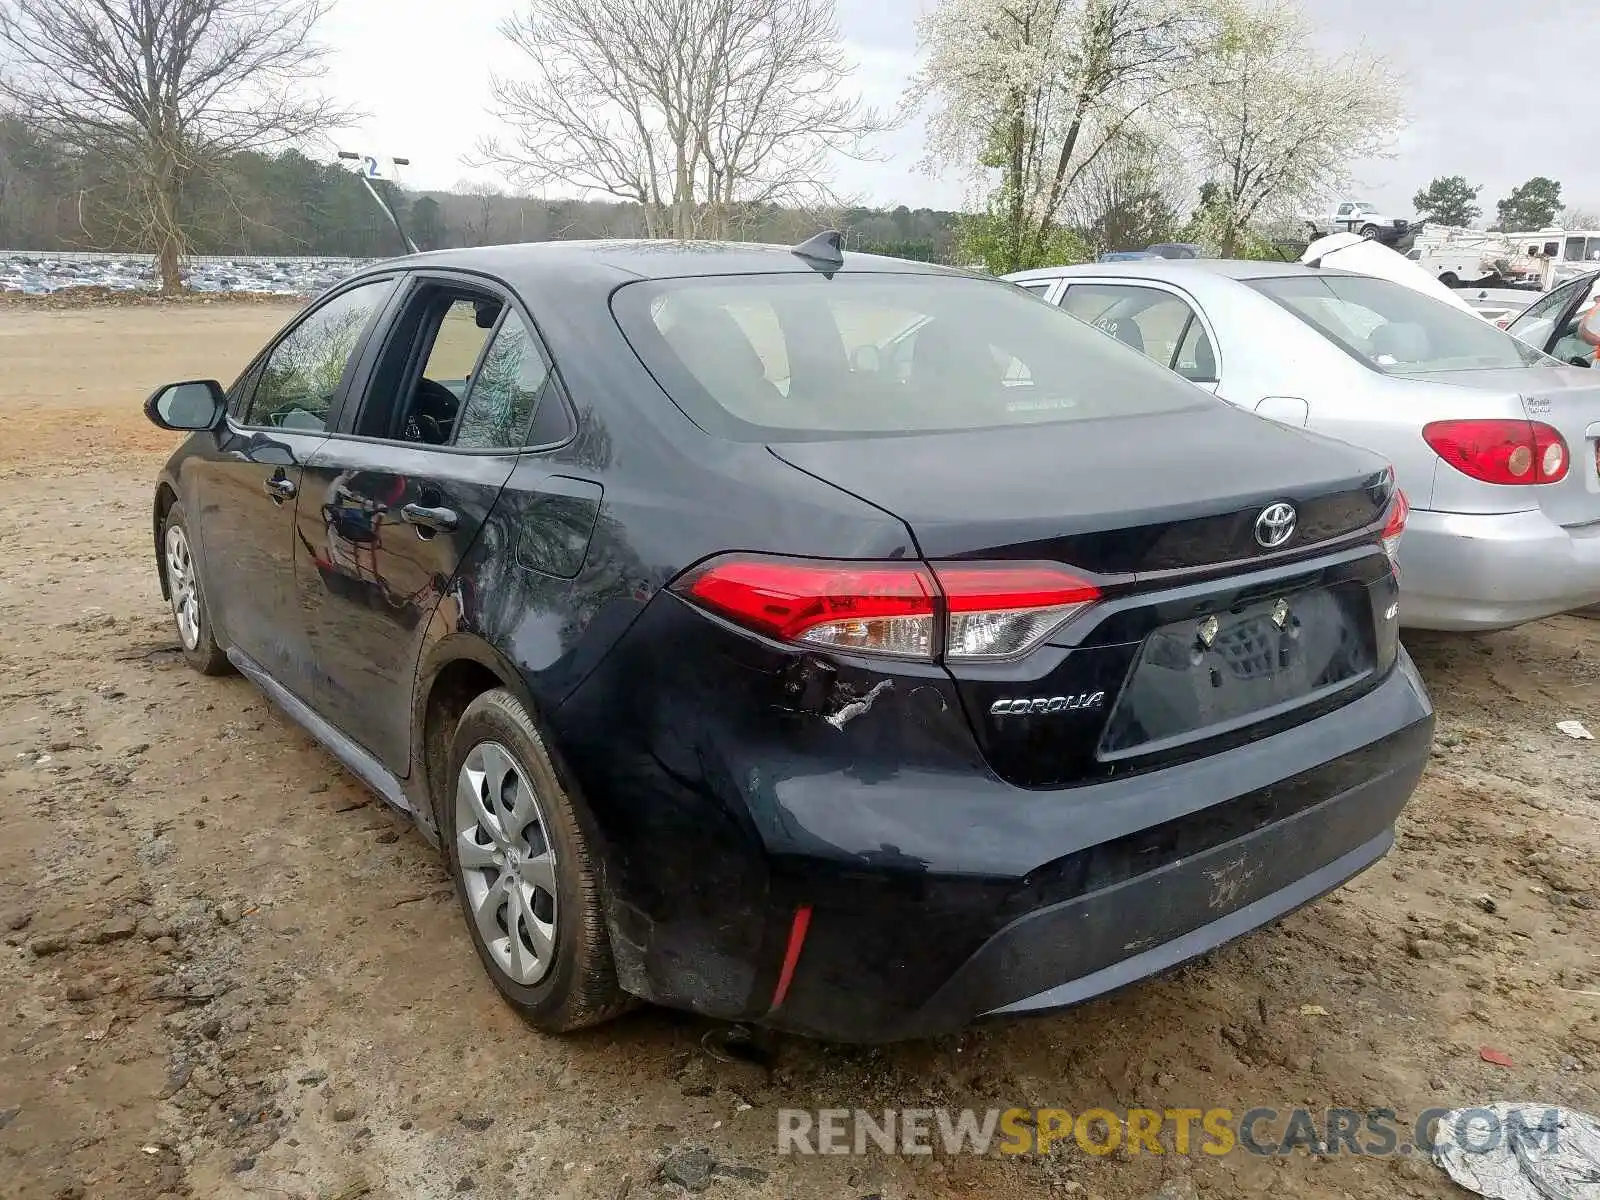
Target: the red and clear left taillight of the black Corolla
(906, 610)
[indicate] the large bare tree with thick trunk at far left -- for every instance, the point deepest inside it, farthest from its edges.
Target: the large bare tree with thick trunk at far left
(159, 94)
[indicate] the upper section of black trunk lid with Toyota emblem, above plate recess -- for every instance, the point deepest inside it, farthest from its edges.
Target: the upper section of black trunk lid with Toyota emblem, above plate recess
(1121, 497)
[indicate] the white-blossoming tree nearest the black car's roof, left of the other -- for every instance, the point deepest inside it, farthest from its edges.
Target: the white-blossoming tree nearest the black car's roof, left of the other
(1031, 94)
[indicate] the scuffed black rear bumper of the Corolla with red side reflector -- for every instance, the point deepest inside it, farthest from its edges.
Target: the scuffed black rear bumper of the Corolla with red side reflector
(935, 894)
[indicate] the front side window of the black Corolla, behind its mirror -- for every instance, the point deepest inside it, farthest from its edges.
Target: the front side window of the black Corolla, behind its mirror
(306, 369)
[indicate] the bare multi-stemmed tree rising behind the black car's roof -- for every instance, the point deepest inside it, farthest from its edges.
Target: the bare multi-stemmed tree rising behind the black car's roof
(694, 110)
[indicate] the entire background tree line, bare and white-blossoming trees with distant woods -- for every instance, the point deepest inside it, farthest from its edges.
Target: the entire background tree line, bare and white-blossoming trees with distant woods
(178, 127)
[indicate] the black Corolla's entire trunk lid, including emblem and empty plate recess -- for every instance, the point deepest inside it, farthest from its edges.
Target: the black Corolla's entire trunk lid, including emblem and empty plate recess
(1201, 636)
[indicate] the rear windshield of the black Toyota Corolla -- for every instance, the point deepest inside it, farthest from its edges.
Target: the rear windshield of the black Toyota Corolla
(806, 358)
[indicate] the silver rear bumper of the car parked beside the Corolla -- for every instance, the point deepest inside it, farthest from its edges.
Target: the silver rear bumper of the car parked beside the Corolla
(1495, 570)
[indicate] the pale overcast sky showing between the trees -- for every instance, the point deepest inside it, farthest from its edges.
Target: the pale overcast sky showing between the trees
(1497, 94)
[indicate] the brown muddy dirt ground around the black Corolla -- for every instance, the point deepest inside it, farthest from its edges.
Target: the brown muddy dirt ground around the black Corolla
(230, 972)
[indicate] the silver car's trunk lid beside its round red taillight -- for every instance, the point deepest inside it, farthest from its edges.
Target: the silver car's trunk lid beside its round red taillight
(1566, 399)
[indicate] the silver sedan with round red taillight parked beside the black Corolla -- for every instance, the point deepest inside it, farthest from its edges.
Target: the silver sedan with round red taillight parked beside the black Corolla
(1494, 442)
